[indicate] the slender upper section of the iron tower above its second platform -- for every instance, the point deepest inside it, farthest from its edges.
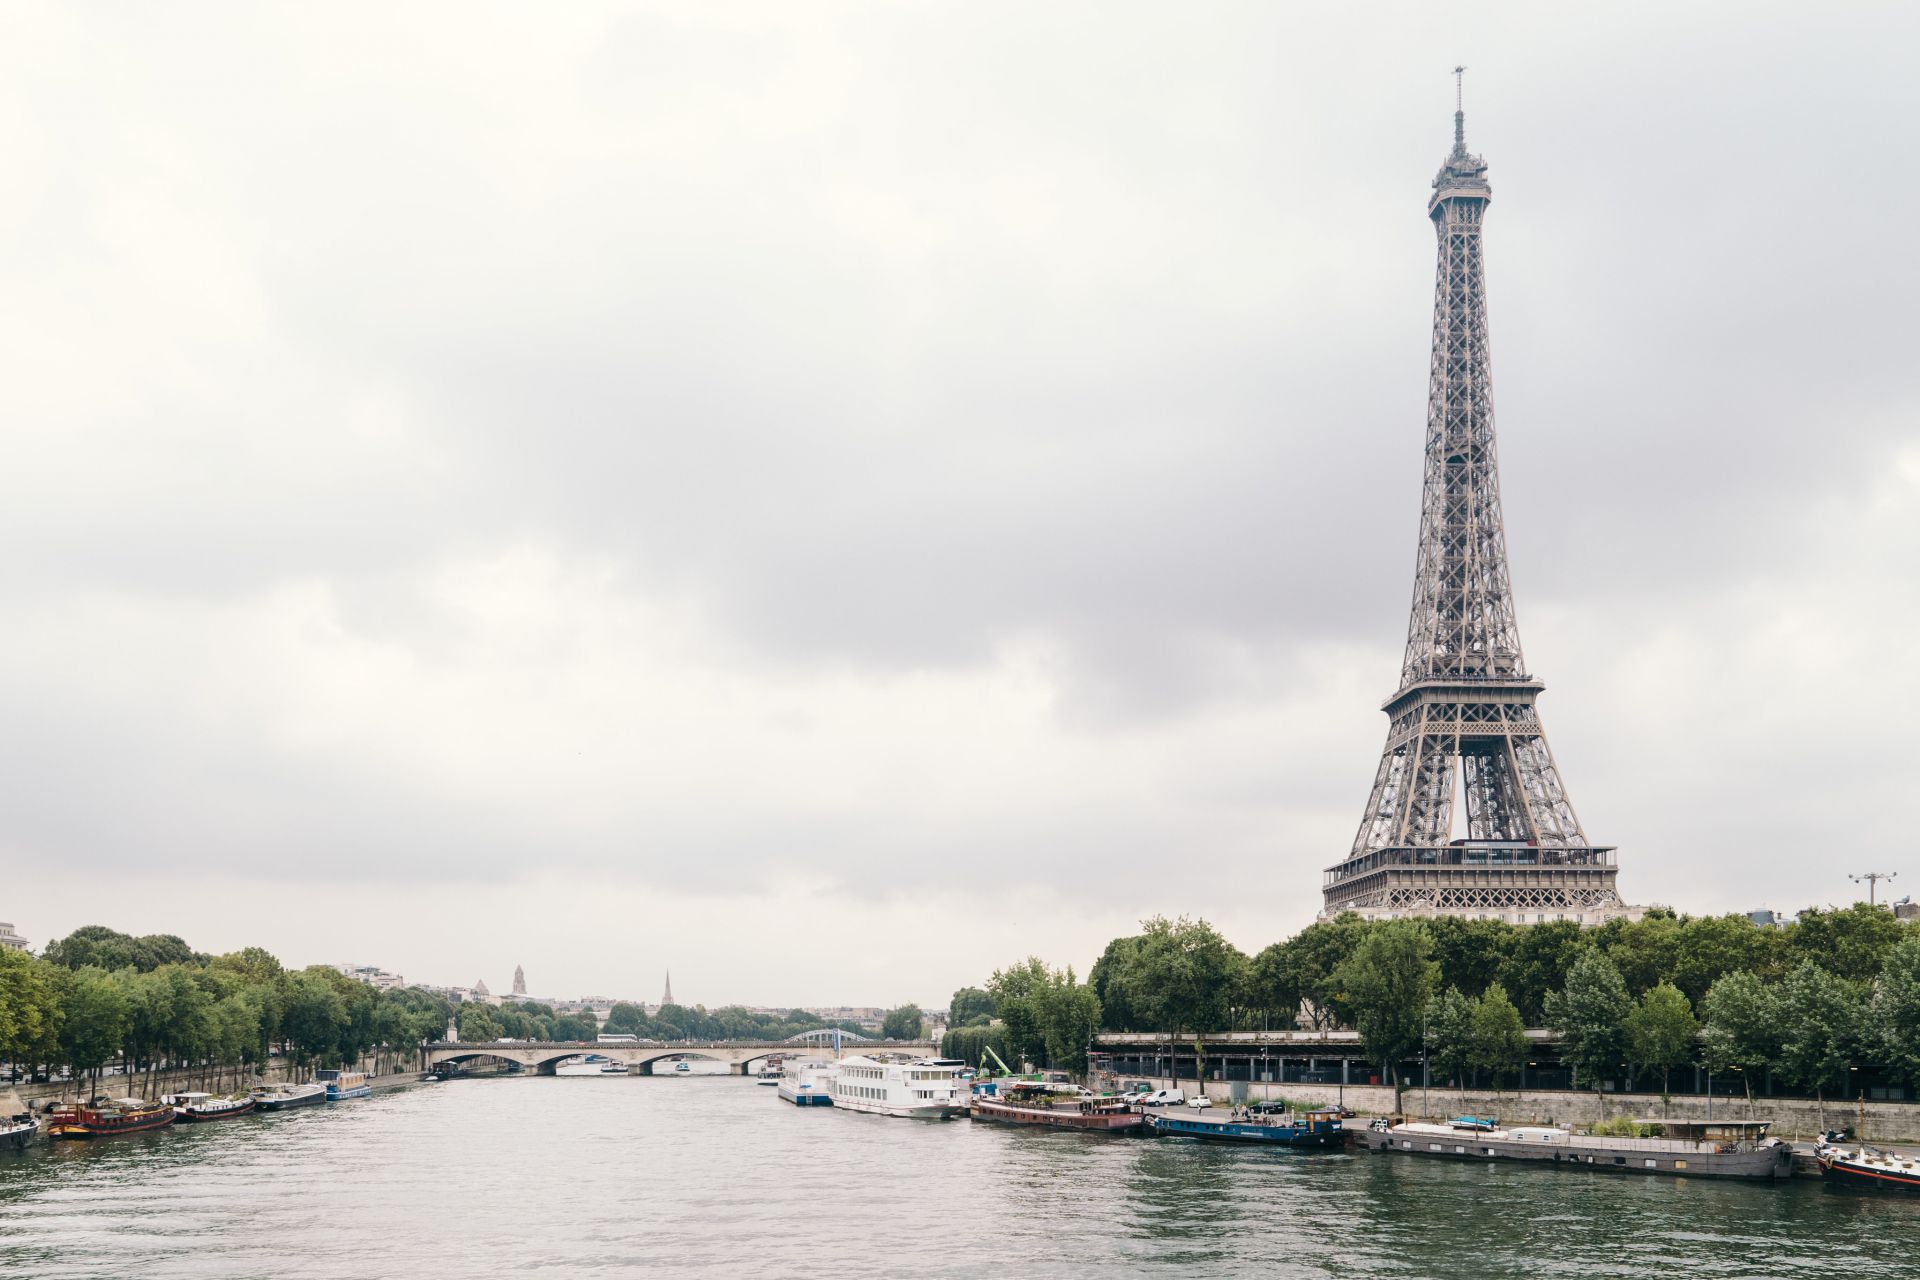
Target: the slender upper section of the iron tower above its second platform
(1462, 625)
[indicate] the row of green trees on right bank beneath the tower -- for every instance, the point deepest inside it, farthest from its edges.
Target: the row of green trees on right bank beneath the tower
(1629, 1001)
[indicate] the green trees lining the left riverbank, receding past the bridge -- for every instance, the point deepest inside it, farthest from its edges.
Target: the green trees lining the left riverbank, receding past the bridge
(153, 1003)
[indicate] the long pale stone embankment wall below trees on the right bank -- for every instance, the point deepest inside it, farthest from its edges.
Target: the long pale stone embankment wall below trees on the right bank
(1794, 1118)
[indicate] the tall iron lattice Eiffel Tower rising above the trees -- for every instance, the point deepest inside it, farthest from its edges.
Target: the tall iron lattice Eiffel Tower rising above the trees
(1464, 719)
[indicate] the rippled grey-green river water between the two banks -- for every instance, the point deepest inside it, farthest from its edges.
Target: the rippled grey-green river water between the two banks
(717, 1177)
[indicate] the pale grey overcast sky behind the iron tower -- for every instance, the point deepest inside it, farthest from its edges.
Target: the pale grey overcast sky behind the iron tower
(836, 498)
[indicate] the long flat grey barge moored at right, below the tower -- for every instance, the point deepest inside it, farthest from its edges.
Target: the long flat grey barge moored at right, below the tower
(1685, 1149)
